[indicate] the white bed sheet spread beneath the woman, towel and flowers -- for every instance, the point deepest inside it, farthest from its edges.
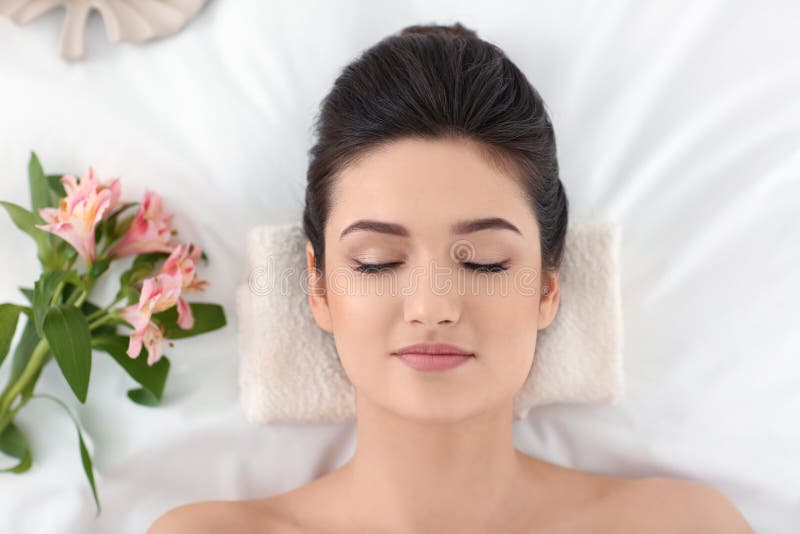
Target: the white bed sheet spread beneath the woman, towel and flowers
(679, 120)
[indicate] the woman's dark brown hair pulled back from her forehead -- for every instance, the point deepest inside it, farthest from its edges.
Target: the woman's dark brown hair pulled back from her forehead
(433, 81)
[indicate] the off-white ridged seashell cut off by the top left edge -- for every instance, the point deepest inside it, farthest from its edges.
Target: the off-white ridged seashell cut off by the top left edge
(124, 20)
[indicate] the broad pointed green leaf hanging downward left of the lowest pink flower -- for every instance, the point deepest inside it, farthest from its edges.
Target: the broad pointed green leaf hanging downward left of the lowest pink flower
(67, 332)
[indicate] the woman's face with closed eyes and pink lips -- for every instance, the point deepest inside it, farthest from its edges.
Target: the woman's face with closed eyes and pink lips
(430, 292)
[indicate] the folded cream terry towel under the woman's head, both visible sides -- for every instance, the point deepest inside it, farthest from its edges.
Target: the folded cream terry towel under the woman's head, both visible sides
(289, 370)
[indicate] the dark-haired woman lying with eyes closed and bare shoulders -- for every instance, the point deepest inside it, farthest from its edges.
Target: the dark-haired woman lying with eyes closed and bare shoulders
(436, 222)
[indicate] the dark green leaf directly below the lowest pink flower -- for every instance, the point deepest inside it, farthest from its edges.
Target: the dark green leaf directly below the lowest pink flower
(151, 378)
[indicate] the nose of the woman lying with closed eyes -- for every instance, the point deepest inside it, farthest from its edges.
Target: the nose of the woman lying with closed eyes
(431, 297)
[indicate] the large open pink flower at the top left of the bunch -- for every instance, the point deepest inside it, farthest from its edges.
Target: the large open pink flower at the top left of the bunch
(80, 211)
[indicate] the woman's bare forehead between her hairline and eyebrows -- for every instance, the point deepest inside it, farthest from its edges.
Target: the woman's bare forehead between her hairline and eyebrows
(427, 185)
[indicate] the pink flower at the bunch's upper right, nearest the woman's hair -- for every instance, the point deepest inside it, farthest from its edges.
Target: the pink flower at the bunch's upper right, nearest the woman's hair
(149, 231)
